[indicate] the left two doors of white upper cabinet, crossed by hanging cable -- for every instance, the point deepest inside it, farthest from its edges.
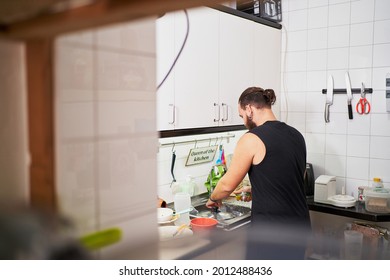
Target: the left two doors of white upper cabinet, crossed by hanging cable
(186, 98)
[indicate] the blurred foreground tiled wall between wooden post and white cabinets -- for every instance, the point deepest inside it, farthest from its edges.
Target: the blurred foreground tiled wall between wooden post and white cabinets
(106, 139)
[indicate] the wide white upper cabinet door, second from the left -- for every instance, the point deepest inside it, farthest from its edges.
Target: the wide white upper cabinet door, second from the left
(196, 72)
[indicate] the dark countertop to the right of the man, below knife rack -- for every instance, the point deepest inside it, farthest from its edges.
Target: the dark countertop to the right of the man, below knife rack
(357, 212)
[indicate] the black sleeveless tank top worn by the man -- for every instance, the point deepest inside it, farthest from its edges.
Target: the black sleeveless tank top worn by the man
(277, 182)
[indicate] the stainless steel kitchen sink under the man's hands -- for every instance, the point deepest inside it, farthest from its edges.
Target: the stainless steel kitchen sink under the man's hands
(229, 215)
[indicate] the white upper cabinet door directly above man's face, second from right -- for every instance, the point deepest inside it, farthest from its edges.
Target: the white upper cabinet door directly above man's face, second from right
(236, 64)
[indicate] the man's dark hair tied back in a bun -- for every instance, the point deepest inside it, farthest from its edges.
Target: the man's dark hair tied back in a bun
(257, 97)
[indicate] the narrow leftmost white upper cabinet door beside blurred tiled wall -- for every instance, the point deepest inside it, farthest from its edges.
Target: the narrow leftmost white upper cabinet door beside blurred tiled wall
(165, 54)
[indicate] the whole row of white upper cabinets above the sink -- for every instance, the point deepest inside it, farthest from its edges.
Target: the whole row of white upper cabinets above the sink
(223, 56)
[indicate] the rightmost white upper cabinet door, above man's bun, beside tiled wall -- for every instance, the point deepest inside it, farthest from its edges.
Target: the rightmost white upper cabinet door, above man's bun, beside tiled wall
(267, 71)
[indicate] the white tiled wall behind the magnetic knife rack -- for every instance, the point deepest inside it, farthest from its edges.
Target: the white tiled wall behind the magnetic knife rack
(322, 38)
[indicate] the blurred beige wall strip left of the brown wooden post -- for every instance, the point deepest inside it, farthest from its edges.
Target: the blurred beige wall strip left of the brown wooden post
(14, 178)
